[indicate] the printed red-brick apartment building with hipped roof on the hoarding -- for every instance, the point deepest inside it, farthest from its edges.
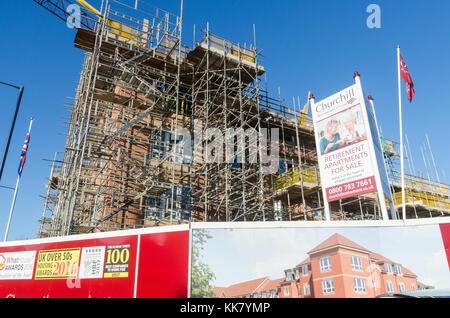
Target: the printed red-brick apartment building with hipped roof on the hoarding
(336, 268)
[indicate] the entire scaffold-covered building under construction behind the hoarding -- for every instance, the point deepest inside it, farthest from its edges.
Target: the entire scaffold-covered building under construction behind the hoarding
(140, 88)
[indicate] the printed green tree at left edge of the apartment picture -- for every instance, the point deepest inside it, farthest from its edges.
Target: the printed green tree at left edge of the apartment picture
(202, 276)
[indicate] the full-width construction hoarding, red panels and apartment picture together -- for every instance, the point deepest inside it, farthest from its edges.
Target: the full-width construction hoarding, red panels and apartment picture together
(273, 259)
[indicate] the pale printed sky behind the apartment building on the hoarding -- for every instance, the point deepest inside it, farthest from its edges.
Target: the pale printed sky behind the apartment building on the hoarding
(240, 255)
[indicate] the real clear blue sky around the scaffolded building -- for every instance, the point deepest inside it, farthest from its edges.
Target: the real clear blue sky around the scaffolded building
(307, 45)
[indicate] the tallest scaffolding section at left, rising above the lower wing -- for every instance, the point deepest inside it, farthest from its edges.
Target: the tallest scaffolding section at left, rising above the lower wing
(139, 86)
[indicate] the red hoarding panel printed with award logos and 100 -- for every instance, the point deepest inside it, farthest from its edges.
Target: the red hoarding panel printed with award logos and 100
(90, 268)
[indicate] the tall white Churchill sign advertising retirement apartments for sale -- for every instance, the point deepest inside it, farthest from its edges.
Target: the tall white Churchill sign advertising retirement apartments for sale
(345, 145)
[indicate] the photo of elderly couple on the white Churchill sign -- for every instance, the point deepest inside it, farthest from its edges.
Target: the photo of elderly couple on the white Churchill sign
(341, 130)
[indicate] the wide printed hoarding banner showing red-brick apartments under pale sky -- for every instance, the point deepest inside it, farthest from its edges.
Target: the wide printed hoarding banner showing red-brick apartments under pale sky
(335, 261)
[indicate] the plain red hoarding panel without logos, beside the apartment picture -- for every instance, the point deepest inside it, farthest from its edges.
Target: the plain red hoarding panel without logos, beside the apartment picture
(163, 265)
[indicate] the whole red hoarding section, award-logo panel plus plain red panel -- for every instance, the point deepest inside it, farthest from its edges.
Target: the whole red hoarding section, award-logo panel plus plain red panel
(124, 264)
